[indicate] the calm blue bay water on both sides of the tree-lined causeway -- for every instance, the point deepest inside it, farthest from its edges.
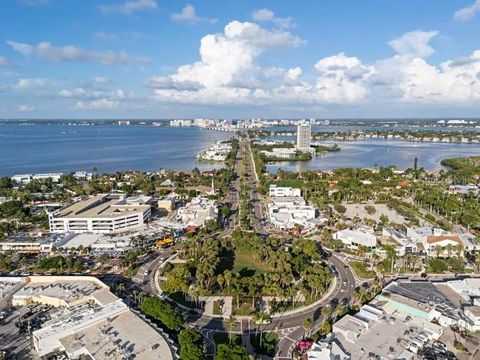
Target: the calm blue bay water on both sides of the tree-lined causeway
(48, 148)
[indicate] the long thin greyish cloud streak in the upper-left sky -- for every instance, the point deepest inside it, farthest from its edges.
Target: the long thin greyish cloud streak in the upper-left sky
(45, 50)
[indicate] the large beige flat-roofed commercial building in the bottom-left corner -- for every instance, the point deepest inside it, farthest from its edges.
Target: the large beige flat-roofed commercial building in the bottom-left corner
(85, 320)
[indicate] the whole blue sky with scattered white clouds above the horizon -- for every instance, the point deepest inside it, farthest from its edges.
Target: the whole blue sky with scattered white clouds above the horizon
(239, 59)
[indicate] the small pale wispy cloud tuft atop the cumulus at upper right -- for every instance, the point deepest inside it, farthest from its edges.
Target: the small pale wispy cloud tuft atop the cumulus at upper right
(414, 43)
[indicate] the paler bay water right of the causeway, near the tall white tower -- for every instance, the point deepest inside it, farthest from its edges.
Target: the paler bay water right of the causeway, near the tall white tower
(372, 153)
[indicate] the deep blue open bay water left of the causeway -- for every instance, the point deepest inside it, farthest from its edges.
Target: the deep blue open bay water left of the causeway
(49, 148)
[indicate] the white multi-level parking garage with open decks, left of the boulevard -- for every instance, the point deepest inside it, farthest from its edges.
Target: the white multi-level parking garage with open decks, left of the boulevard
(105, 213)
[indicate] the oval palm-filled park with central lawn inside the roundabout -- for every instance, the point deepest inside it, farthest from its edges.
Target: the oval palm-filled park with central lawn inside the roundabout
(248, 267)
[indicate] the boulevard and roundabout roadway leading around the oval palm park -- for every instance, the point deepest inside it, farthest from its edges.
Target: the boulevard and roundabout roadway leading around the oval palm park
(288, 326)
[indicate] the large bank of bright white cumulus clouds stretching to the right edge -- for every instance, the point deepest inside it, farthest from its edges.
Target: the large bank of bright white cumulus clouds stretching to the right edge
(228, 73)
